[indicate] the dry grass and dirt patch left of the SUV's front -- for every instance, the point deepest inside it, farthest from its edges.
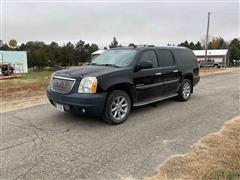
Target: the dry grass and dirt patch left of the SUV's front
(24, 92)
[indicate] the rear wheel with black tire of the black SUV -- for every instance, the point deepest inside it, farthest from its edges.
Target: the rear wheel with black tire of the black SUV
(184, 92)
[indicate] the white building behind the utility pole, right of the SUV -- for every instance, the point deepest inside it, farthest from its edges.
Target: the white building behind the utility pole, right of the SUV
(218, 55)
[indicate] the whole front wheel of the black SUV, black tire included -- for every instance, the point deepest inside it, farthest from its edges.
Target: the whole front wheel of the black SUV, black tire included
(118, 107)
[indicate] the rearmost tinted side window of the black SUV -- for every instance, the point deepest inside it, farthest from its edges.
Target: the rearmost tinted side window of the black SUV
(187, 58)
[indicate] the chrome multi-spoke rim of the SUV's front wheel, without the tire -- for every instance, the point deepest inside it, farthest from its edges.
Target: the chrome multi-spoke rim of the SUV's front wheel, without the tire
(119, 108)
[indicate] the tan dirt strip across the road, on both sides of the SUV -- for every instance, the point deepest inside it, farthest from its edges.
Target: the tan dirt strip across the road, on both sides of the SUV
(23, 93)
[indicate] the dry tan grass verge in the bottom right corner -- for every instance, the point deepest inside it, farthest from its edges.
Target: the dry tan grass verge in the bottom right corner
(215, 156)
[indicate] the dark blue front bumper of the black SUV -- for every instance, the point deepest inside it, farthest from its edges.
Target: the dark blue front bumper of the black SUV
(85, 103)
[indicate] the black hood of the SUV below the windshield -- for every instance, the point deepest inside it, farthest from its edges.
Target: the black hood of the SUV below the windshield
(89, 70)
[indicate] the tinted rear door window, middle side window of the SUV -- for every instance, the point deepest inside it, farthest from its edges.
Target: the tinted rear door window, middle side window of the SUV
(165, 58)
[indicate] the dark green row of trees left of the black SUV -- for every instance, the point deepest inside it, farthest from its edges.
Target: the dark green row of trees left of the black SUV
(41, 54)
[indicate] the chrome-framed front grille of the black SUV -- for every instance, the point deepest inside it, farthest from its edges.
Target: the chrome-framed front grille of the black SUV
(62, 85)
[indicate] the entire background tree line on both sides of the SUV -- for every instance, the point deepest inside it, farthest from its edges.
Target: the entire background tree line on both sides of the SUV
(41, 54)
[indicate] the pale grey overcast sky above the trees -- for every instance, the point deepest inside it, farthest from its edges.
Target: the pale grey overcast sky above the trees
(141, 23)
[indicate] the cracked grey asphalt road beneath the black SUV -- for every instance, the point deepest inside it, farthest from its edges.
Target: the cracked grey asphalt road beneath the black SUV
(43, 143)
